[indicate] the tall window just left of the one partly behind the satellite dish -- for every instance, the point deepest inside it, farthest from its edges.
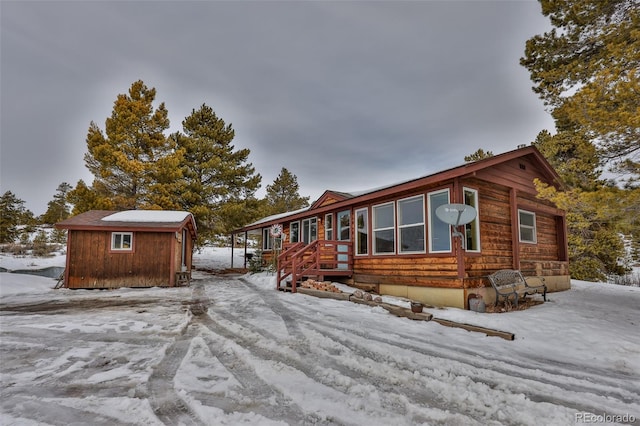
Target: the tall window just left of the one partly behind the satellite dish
(411, 225)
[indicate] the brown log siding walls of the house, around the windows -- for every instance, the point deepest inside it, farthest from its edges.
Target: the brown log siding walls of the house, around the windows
(502, 190)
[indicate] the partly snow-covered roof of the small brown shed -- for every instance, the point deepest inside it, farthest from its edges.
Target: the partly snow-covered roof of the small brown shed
(139, 220)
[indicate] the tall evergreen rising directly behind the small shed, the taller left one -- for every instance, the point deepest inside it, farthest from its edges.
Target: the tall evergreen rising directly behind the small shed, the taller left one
(128, 159)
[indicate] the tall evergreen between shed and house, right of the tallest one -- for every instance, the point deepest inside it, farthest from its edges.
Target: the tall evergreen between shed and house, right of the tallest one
(217, 178)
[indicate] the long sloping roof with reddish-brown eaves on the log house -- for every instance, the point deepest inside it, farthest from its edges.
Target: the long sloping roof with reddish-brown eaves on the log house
(346, 199)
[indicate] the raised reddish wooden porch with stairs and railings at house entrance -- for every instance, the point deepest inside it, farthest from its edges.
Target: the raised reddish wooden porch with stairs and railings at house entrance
(318, 259)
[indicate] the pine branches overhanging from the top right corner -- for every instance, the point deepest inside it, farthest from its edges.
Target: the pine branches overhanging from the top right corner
(587, 69)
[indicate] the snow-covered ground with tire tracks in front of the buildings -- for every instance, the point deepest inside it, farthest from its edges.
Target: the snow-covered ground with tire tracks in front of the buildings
(231, 350)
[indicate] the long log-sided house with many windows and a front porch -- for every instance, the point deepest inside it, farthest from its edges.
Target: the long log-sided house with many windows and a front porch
(390, 240)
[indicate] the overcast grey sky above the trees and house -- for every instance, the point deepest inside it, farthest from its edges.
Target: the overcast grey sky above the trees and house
(347, 95)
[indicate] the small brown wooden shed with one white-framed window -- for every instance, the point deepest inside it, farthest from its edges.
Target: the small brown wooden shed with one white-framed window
(135, 248)
